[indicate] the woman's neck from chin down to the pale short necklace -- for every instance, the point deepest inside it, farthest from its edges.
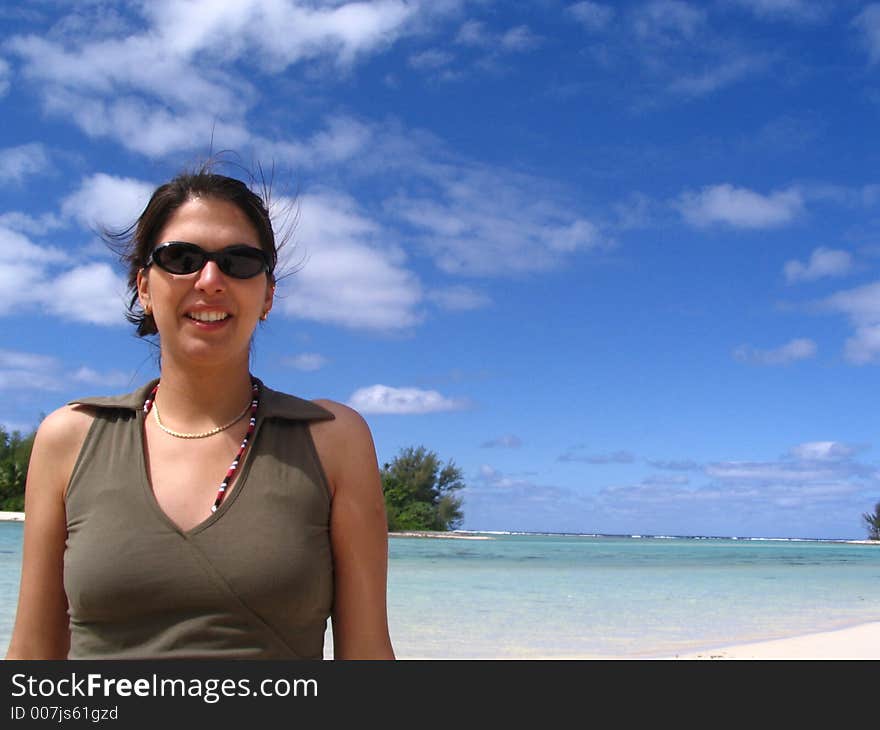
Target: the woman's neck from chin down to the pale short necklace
(197, 400)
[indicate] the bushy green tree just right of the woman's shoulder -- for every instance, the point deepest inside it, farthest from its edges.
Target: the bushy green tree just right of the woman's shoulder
(420, 491)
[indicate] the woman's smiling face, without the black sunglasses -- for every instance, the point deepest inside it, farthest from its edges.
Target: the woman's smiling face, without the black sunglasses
(207, 316)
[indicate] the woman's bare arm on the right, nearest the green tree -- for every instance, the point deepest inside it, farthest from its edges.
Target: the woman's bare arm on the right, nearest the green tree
(358, 534)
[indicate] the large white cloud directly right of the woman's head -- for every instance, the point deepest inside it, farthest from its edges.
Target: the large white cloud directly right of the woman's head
(349, 277)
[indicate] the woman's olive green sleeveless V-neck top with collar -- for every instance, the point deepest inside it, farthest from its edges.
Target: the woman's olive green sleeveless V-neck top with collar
(252, 581)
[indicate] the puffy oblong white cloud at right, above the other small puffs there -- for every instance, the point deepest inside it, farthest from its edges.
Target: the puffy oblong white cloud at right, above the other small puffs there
(739, 207)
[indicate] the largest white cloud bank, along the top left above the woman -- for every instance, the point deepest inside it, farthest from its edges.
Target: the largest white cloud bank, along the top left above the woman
(163, 88)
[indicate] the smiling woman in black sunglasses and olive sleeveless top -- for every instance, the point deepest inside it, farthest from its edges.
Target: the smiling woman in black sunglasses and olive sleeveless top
(204, 515)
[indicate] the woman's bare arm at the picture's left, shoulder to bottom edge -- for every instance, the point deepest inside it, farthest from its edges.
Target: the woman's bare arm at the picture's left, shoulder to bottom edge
(41, 628)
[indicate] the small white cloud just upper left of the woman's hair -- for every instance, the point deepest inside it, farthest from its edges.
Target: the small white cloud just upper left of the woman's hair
(106, 200)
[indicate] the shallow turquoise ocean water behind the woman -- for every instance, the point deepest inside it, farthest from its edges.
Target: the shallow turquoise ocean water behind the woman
(563, 596)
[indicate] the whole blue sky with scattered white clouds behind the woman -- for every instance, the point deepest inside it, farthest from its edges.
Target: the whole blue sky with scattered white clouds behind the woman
(618, 261)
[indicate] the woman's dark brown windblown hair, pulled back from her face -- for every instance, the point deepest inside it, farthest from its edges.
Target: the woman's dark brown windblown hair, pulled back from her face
(135, 243)
